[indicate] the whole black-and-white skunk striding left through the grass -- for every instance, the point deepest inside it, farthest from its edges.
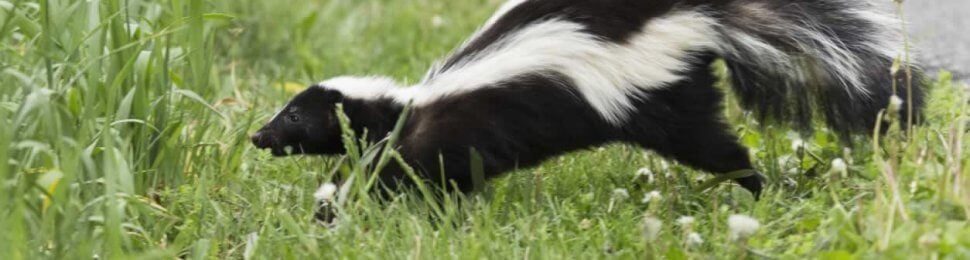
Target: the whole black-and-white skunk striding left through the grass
(546, 77)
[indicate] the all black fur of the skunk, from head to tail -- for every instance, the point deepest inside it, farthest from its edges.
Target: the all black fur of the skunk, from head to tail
(521, 122)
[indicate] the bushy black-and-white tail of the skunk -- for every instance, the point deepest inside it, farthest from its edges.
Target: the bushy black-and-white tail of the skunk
(791, 59)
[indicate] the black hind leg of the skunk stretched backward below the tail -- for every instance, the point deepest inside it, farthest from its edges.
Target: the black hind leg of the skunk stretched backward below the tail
(685, 122)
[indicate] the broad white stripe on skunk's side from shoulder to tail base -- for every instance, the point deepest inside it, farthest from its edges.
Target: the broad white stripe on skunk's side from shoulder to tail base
(606, 74)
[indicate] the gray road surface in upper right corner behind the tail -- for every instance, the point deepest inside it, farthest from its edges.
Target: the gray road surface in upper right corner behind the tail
(940, 31)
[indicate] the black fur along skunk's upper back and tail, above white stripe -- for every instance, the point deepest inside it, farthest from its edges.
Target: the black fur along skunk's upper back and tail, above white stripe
(773, 97)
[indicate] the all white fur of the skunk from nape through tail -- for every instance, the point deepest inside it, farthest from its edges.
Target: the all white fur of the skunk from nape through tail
(609, 75)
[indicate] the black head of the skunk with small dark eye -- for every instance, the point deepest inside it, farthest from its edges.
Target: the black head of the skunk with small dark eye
(306, 125)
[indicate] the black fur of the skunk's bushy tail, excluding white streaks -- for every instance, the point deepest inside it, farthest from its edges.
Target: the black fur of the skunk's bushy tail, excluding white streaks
(780, 98)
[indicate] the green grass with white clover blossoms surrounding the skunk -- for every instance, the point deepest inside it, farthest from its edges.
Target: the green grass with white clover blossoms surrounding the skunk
(125, 128)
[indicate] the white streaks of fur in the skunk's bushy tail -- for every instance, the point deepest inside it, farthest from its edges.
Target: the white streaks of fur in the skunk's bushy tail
(813, 40)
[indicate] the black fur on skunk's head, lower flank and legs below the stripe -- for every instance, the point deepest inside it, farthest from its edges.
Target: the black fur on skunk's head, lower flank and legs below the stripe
(522, 125)
